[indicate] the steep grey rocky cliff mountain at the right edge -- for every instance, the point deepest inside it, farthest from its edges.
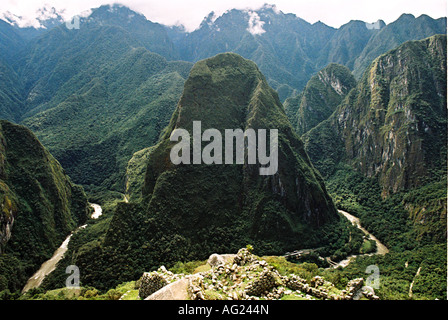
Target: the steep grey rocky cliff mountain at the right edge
(393, 124)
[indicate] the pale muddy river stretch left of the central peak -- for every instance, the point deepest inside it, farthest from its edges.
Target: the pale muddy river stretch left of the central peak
(50, 265)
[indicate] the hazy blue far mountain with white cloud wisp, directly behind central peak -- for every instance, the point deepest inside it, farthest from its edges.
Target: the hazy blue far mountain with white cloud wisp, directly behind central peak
(282, 45)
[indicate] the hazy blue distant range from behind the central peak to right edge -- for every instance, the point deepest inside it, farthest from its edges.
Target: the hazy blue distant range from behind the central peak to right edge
(289, 50)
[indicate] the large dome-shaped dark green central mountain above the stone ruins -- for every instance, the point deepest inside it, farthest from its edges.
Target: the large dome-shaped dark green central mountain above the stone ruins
(187, 212)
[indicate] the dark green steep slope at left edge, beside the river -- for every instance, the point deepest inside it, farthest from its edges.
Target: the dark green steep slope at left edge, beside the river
(40, 205)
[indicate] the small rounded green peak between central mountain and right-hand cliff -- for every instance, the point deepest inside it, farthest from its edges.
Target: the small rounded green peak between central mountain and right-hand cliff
(322, 94)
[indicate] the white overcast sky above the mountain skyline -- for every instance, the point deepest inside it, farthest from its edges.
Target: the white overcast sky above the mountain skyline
(191, 12)
